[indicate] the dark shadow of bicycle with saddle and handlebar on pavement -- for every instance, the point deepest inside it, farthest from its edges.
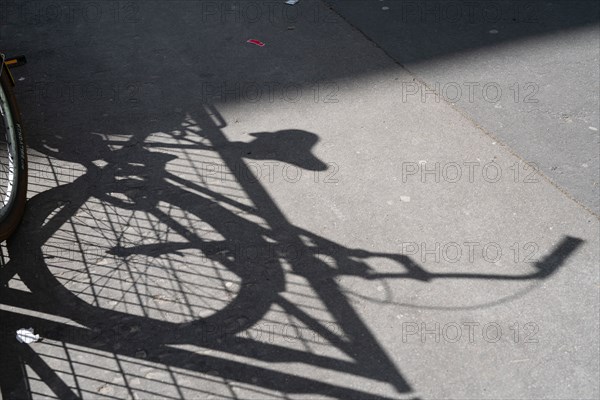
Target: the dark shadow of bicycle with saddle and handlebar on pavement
(130, 187)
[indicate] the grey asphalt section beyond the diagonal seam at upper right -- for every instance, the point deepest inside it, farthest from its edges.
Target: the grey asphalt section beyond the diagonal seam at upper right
(526, 72)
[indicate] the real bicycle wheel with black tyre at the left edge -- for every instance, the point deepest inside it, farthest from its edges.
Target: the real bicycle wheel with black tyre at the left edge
(13, 161)
